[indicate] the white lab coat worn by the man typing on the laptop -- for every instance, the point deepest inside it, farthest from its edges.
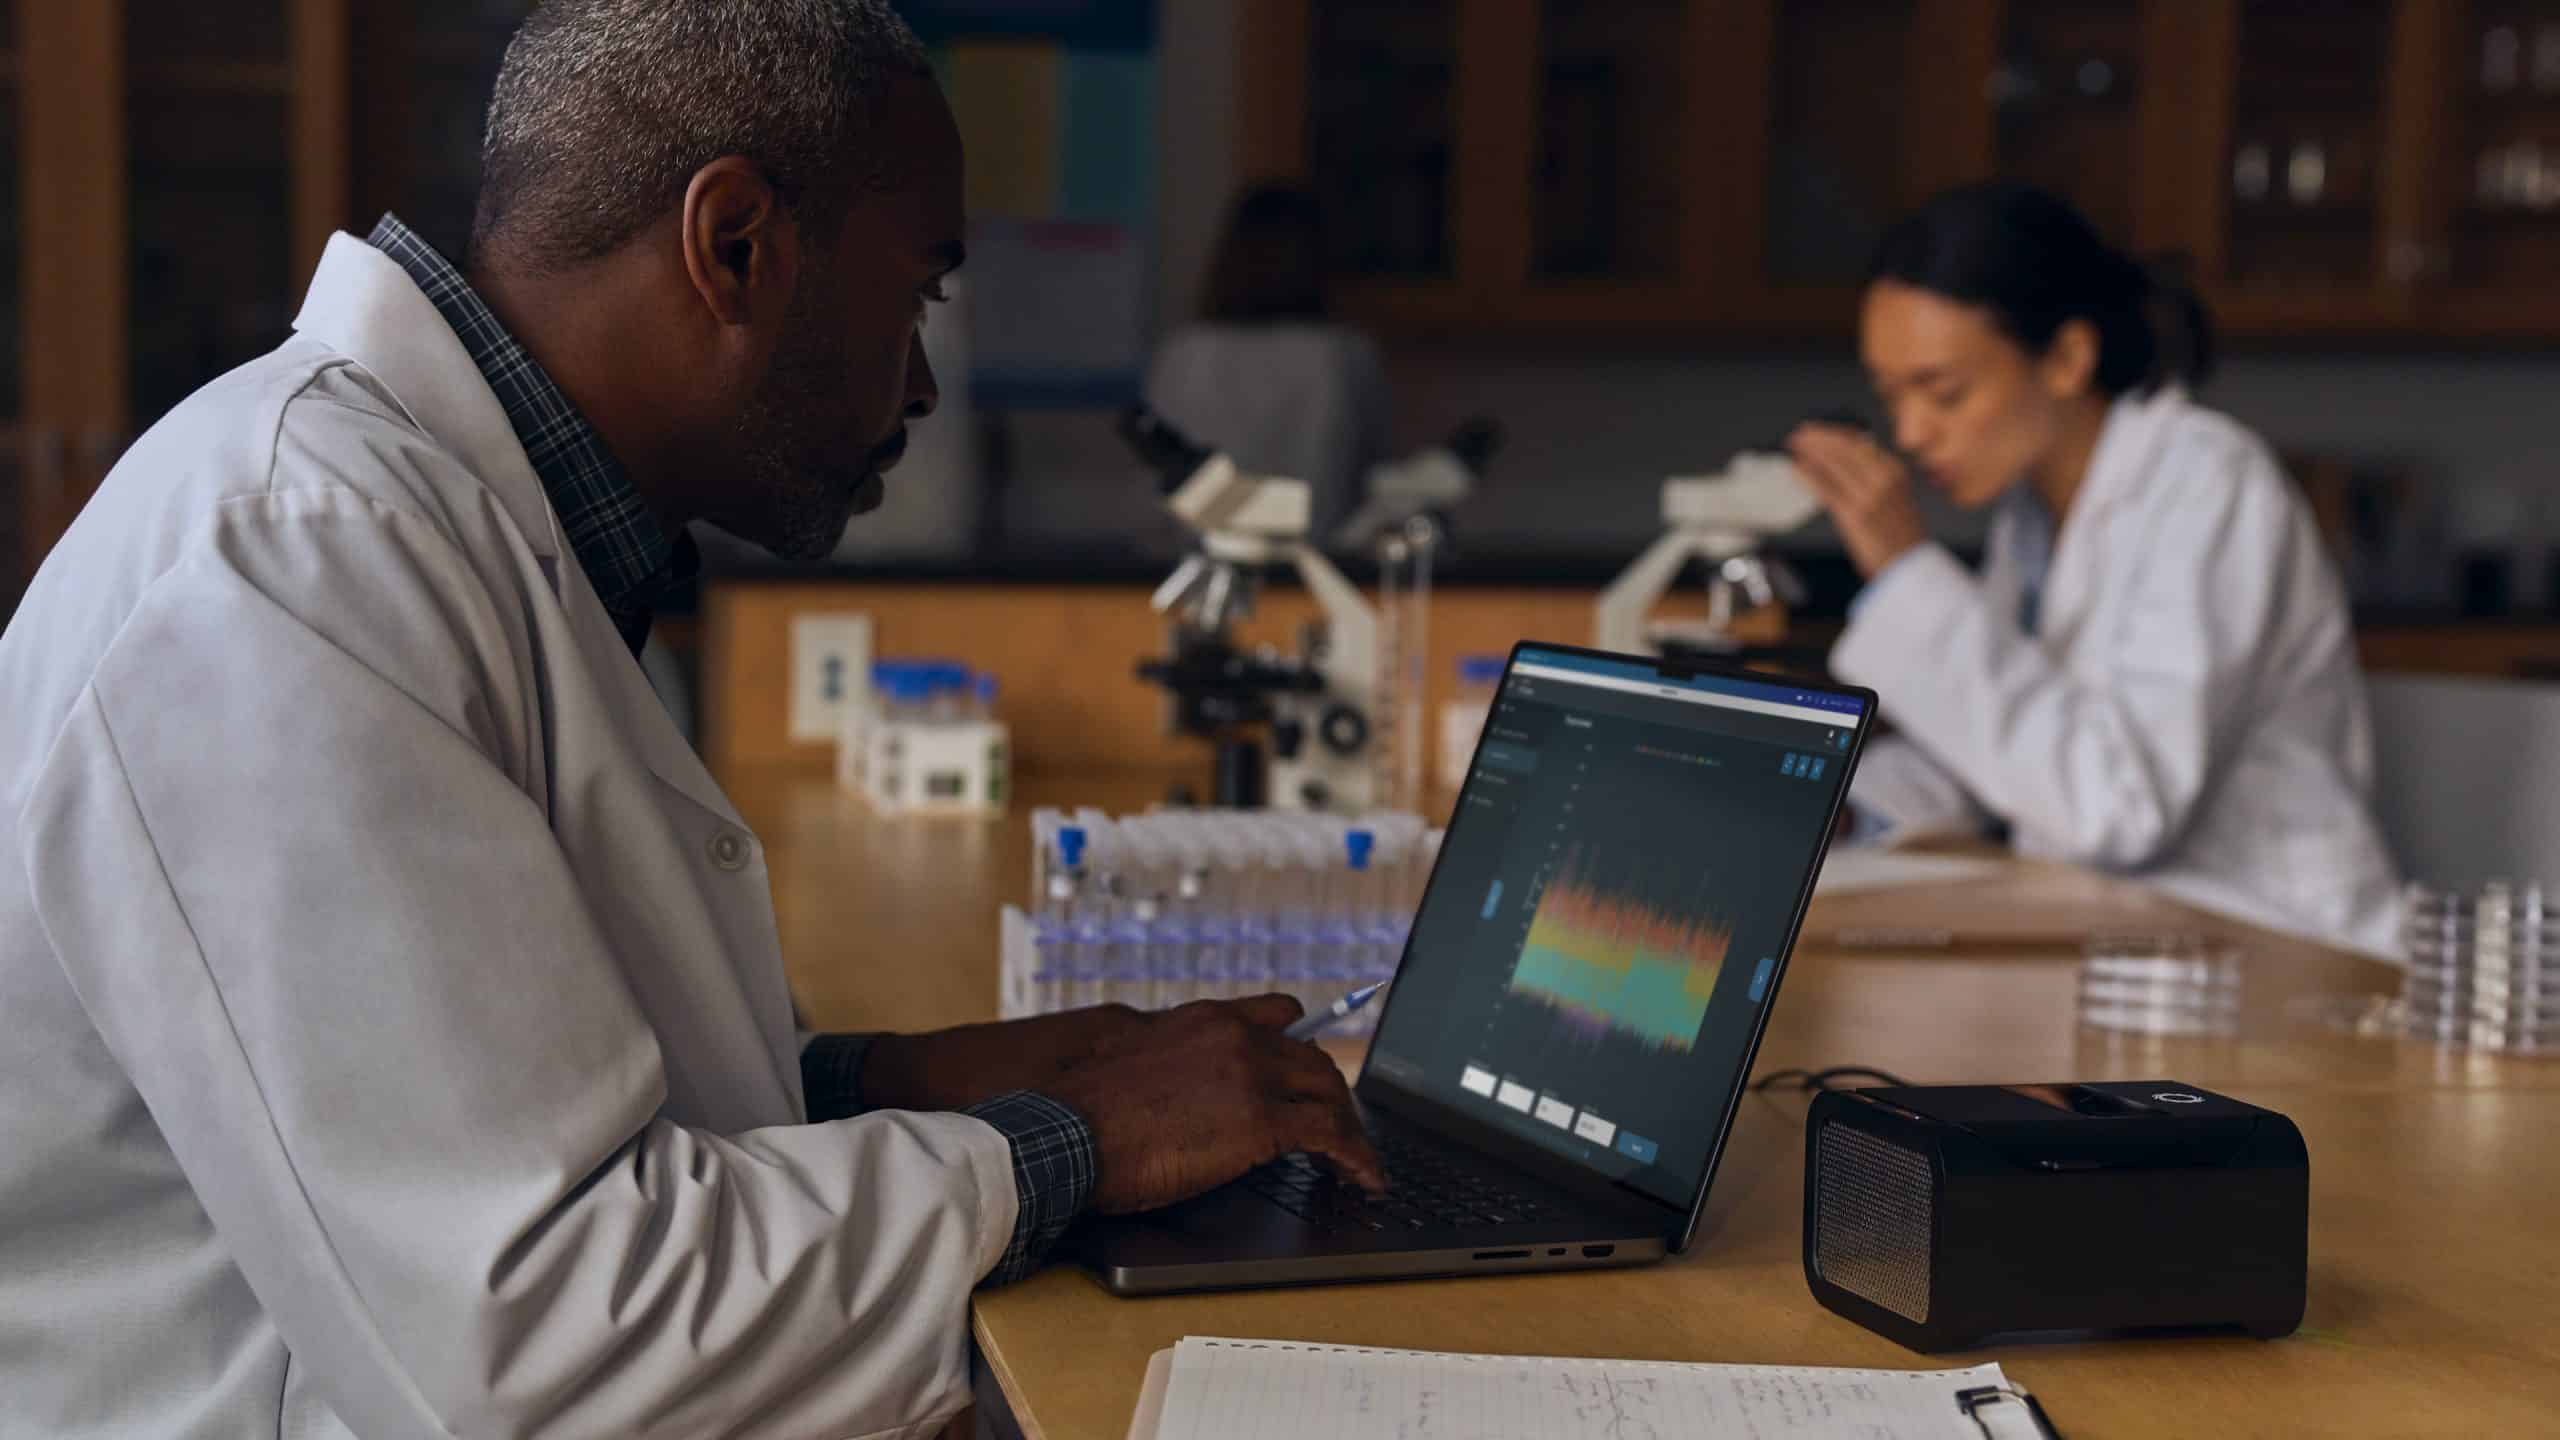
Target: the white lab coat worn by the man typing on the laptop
(396, 1034)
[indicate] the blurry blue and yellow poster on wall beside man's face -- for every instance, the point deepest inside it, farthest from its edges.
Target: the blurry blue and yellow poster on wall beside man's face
(1059, 111)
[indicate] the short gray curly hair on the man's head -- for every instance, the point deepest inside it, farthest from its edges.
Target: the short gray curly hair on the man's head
(605, 109)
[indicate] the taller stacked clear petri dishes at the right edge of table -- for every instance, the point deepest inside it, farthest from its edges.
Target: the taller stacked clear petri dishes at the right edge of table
(2484, 967)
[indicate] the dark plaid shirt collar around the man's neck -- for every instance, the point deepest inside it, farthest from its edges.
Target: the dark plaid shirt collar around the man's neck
(621, 547)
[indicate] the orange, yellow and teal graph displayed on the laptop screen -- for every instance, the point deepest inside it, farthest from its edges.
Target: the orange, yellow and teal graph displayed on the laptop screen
(1617, 965)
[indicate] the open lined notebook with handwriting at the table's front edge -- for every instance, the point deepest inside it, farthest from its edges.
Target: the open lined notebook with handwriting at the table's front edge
(1274, 1390)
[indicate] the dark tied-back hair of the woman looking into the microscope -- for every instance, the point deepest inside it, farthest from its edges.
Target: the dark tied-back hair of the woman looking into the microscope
(2036, 265)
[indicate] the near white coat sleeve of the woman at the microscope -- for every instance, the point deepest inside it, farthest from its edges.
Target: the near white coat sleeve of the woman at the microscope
(2106, 765)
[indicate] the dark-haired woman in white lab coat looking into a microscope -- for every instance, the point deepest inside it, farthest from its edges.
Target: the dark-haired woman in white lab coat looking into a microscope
(2154, 670)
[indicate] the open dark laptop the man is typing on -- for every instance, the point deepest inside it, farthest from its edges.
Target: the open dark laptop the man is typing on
(1581, 998)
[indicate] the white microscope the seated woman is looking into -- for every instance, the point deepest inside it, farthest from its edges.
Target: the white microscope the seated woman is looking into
(1724, 521)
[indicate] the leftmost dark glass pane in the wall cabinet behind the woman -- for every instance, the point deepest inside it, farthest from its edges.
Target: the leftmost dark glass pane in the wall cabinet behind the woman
(1381, 135)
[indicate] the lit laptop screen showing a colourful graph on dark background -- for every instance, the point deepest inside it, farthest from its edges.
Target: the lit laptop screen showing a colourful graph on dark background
(1612, 908)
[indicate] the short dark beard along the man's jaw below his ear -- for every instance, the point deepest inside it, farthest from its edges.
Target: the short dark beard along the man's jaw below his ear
(790, 493)
